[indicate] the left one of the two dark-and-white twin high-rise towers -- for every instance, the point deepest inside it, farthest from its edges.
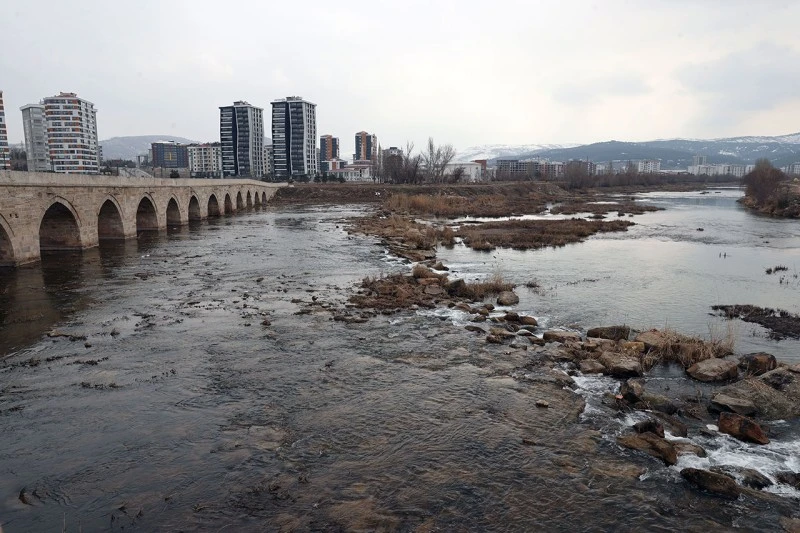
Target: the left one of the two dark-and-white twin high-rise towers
(241, 133)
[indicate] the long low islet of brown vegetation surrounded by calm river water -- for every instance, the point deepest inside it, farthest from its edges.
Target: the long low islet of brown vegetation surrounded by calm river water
(533, 234)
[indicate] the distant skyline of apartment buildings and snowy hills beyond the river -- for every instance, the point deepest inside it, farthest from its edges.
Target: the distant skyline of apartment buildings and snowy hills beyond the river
(61, 136)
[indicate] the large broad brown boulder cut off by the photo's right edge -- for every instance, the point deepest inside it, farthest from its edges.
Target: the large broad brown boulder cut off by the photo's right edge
(776, 394)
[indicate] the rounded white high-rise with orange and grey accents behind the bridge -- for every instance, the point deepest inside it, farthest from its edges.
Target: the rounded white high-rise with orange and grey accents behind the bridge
(72, 134)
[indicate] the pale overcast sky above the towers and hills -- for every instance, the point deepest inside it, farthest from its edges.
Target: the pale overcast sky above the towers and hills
(465, 72)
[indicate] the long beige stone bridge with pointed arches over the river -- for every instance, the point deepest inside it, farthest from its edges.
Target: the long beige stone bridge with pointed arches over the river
(43, 212)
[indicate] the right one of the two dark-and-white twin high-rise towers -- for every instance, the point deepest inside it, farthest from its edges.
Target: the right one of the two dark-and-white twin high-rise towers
(294, 137)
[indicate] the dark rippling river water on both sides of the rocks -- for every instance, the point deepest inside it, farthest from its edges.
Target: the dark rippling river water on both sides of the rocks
(181, 410)
